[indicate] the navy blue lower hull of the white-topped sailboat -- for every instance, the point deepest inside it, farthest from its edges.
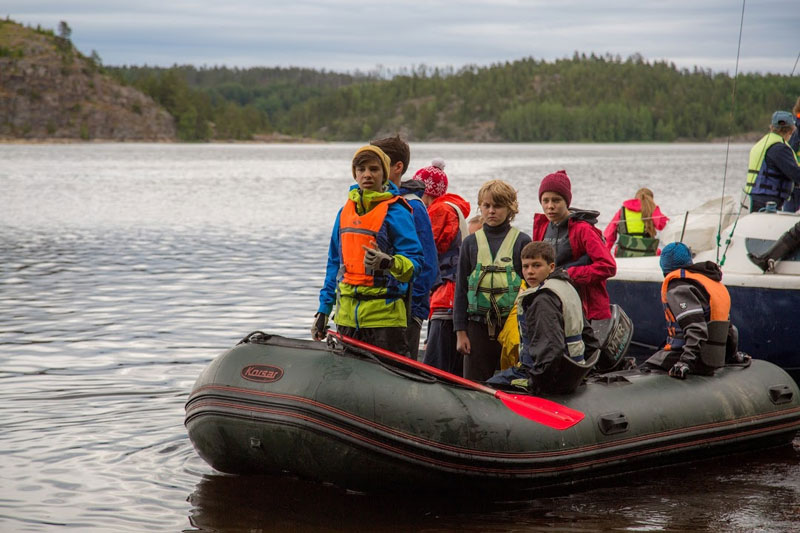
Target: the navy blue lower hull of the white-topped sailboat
(762, 316)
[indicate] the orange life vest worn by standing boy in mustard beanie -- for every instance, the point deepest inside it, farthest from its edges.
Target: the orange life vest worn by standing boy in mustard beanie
(356, 231)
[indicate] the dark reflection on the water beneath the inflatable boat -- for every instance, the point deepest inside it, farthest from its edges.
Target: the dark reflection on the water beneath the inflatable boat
(706, 496)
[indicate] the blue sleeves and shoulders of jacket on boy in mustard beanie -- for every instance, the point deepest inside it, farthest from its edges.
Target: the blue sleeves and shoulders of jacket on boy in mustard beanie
(397, 236)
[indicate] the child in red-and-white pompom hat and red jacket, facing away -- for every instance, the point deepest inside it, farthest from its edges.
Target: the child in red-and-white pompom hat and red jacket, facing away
(448, 213)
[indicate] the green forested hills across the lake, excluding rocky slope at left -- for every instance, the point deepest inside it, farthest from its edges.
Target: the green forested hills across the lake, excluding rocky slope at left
(585, 98)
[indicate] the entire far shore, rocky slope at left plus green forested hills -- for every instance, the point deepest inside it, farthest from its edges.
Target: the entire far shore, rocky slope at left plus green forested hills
(48, 89)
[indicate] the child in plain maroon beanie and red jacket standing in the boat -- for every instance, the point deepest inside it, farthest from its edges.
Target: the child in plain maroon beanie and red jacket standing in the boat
(578, 243)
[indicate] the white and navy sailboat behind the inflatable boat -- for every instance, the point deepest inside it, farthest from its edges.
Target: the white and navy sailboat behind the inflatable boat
(763, 306)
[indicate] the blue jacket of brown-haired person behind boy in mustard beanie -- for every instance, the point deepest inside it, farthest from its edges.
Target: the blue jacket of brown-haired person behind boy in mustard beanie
(428, 275)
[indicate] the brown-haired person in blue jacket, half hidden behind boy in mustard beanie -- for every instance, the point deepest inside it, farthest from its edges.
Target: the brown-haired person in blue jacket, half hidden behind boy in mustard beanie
(399, 154)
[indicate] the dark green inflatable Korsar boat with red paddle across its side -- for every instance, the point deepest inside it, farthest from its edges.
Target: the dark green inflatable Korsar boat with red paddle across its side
(365, 419)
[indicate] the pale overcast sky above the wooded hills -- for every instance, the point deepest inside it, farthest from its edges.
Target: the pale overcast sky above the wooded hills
(349, 35)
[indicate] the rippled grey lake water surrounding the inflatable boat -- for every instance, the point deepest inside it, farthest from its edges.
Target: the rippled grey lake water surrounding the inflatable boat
(125, 268)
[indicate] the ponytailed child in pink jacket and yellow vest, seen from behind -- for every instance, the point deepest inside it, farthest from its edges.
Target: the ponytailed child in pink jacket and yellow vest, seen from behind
(635, 226)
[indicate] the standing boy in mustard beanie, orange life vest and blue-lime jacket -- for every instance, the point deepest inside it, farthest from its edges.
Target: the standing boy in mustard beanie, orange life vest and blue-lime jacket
(372, 257)
